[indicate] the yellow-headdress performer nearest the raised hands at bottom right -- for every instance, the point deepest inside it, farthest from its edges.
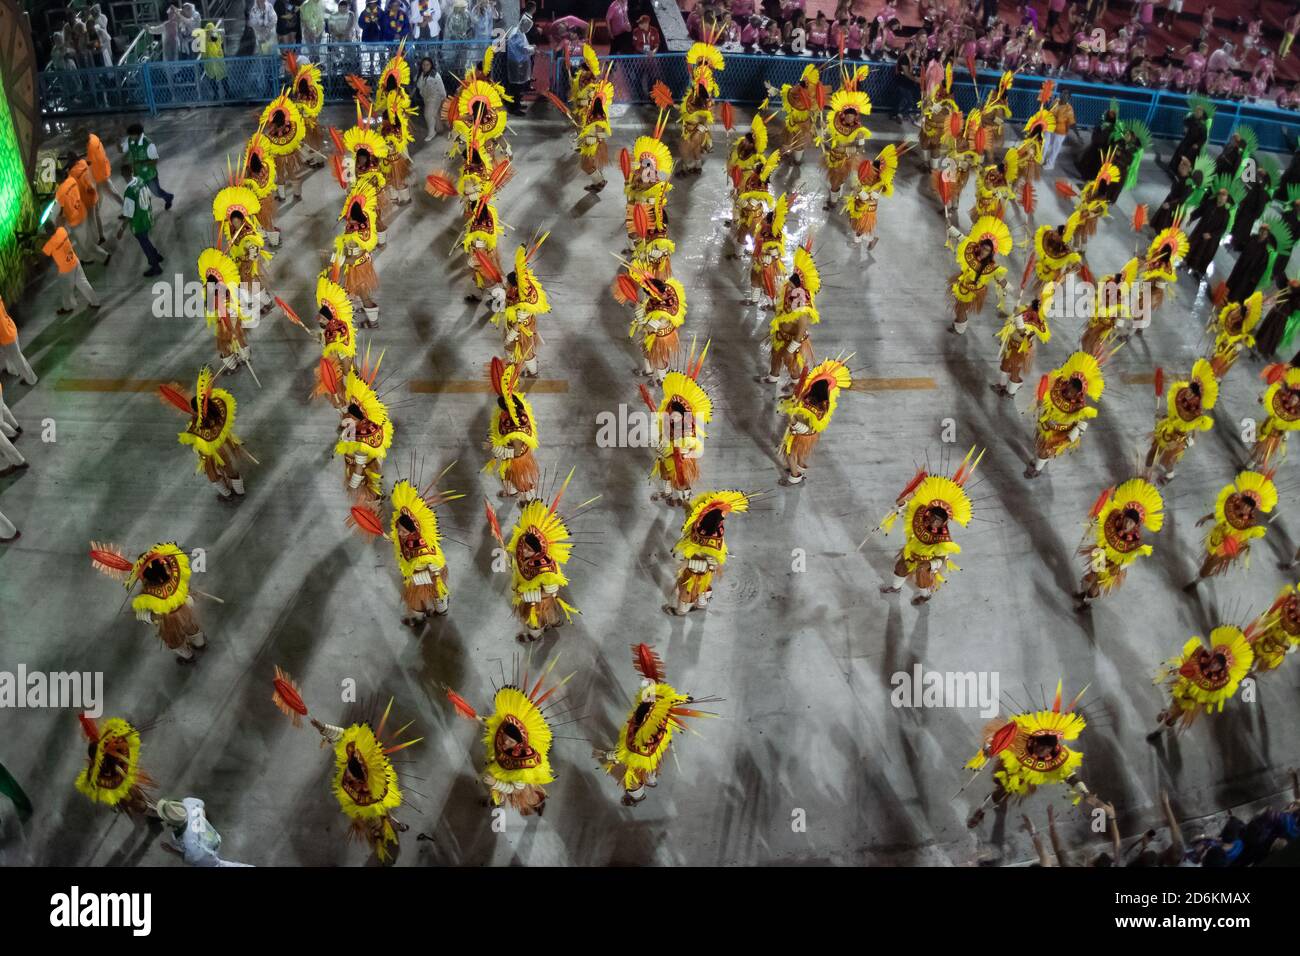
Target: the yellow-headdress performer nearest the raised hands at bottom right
(1030, 751)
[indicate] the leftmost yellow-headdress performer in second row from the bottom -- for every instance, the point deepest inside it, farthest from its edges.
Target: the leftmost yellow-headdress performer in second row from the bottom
(164, 602)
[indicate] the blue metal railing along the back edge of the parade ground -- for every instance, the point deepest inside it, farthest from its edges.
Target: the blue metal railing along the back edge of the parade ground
(241, 80)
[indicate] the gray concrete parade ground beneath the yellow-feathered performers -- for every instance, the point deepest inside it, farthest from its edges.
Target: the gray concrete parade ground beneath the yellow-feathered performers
(811, 762)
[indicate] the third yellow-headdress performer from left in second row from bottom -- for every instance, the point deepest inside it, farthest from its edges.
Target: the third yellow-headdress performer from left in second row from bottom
(539, 550)
